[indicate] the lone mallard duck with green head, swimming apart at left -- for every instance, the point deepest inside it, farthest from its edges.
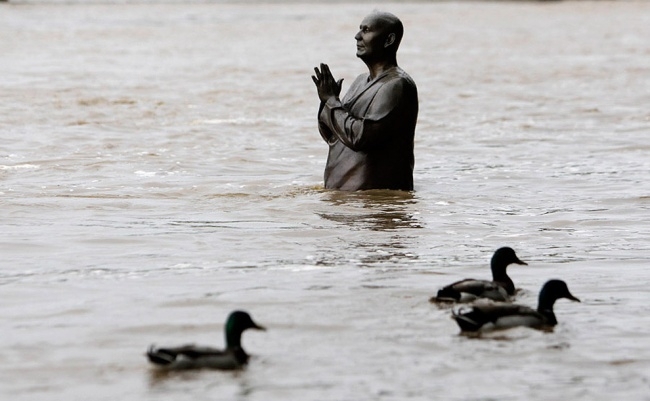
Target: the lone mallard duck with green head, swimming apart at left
(195, 357)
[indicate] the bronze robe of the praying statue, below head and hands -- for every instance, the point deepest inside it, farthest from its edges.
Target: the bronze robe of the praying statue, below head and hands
(370, 133)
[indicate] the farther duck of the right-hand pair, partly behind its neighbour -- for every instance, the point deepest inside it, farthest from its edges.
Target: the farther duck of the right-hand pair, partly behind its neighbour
(499, 289)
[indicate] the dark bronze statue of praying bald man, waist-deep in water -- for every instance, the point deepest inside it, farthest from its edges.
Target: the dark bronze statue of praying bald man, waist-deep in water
(370, 132)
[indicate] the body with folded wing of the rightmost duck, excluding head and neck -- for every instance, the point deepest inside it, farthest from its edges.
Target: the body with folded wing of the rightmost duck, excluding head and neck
(496, 316)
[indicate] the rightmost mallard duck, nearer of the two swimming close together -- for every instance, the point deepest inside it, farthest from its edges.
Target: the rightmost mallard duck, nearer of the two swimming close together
(499, 315)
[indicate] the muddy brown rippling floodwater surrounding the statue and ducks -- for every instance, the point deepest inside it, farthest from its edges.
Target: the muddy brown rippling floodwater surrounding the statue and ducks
(160, 166)
